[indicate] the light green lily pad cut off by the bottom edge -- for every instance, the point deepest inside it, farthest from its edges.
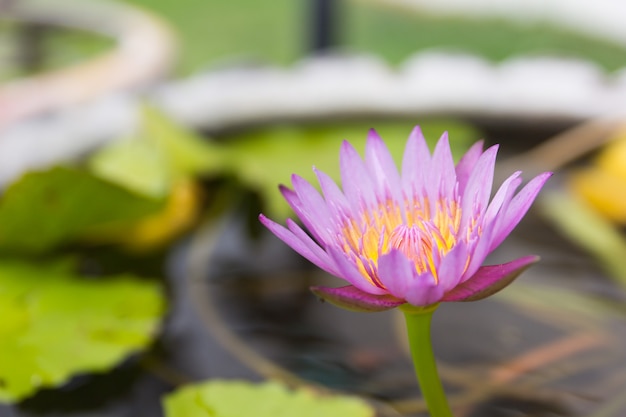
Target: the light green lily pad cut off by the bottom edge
(270, 399)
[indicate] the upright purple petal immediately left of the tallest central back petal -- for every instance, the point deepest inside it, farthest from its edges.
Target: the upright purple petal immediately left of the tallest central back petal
(381, 165)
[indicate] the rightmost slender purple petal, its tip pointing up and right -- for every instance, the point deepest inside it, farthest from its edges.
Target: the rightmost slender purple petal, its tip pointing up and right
(513, 214)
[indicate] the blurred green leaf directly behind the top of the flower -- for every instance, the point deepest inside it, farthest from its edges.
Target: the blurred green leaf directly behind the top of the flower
(264, 158)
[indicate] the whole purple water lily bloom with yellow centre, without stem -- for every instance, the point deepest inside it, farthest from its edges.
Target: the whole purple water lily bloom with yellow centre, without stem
(418, 236)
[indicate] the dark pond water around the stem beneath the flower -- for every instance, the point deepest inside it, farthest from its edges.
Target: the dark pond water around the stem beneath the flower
(552, 344)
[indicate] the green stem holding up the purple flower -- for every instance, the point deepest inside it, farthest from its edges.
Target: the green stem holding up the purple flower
(418, 328)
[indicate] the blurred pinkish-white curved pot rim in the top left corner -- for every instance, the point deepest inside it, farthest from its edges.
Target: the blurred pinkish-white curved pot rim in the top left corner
(143, 54)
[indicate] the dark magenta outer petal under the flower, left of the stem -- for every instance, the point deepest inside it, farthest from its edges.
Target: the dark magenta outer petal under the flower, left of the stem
(353, 299)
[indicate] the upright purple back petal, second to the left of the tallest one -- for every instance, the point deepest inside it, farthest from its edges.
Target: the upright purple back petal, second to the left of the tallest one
(355, 179)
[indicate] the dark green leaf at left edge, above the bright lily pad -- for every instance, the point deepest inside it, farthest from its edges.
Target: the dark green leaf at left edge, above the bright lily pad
(44, 209)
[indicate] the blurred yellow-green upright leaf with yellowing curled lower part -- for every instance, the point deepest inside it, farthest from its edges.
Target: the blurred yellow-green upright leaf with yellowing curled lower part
(160, 160)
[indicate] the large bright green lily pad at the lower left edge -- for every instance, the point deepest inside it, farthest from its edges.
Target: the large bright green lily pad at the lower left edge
(55, 324)
